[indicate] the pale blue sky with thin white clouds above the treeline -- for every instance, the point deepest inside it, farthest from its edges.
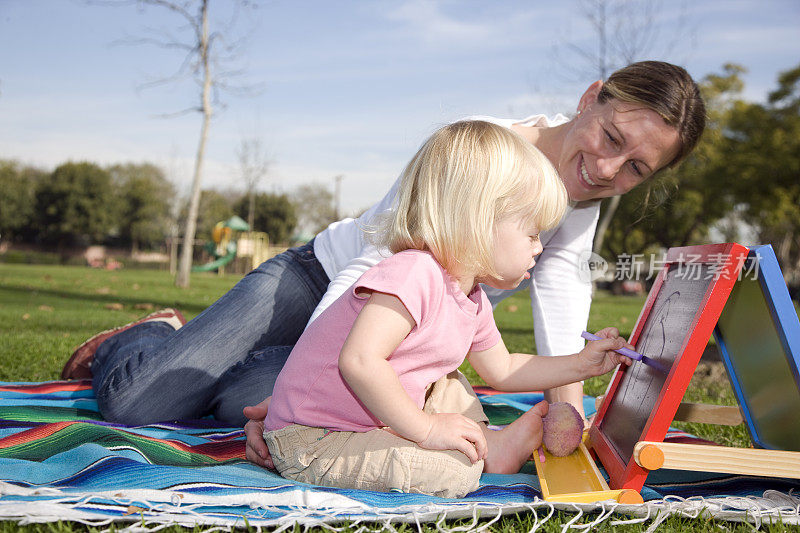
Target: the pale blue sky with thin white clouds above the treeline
(345, 87)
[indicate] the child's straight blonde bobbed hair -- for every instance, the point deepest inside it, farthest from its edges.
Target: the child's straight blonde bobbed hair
(464, 179)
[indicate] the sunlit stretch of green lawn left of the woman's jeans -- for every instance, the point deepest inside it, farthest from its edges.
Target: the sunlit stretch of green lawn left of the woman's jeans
(48, 310)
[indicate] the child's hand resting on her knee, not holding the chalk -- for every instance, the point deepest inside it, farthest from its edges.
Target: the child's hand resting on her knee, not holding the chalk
(451, 431)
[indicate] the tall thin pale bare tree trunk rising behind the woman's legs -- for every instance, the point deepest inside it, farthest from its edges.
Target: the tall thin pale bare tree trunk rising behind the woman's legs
(185, 264)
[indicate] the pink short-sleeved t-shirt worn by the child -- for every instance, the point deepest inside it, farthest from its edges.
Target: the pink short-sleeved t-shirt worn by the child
(311, 391)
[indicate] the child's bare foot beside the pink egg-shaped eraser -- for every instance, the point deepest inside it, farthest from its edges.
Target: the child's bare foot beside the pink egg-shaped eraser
(514, 444)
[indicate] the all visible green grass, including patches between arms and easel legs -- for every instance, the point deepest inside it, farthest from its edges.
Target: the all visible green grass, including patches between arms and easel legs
(46, 311)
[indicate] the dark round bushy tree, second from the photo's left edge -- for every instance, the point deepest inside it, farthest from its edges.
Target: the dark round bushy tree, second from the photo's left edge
(76, 204)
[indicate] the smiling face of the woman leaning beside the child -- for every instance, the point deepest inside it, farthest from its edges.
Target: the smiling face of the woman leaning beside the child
(612, 147)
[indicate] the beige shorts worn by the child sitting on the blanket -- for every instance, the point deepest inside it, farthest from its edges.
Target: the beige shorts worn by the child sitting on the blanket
(380, 460)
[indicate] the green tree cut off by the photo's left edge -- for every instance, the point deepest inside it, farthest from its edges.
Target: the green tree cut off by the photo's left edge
(17, 193)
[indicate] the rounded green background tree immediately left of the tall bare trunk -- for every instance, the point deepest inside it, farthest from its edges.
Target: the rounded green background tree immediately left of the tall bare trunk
(146, 204)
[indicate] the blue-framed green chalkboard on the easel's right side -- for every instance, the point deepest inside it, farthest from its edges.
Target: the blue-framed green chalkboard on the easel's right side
(758, 336)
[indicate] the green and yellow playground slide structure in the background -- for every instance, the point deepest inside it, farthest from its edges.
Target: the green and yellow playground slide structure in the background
(224, 248)
